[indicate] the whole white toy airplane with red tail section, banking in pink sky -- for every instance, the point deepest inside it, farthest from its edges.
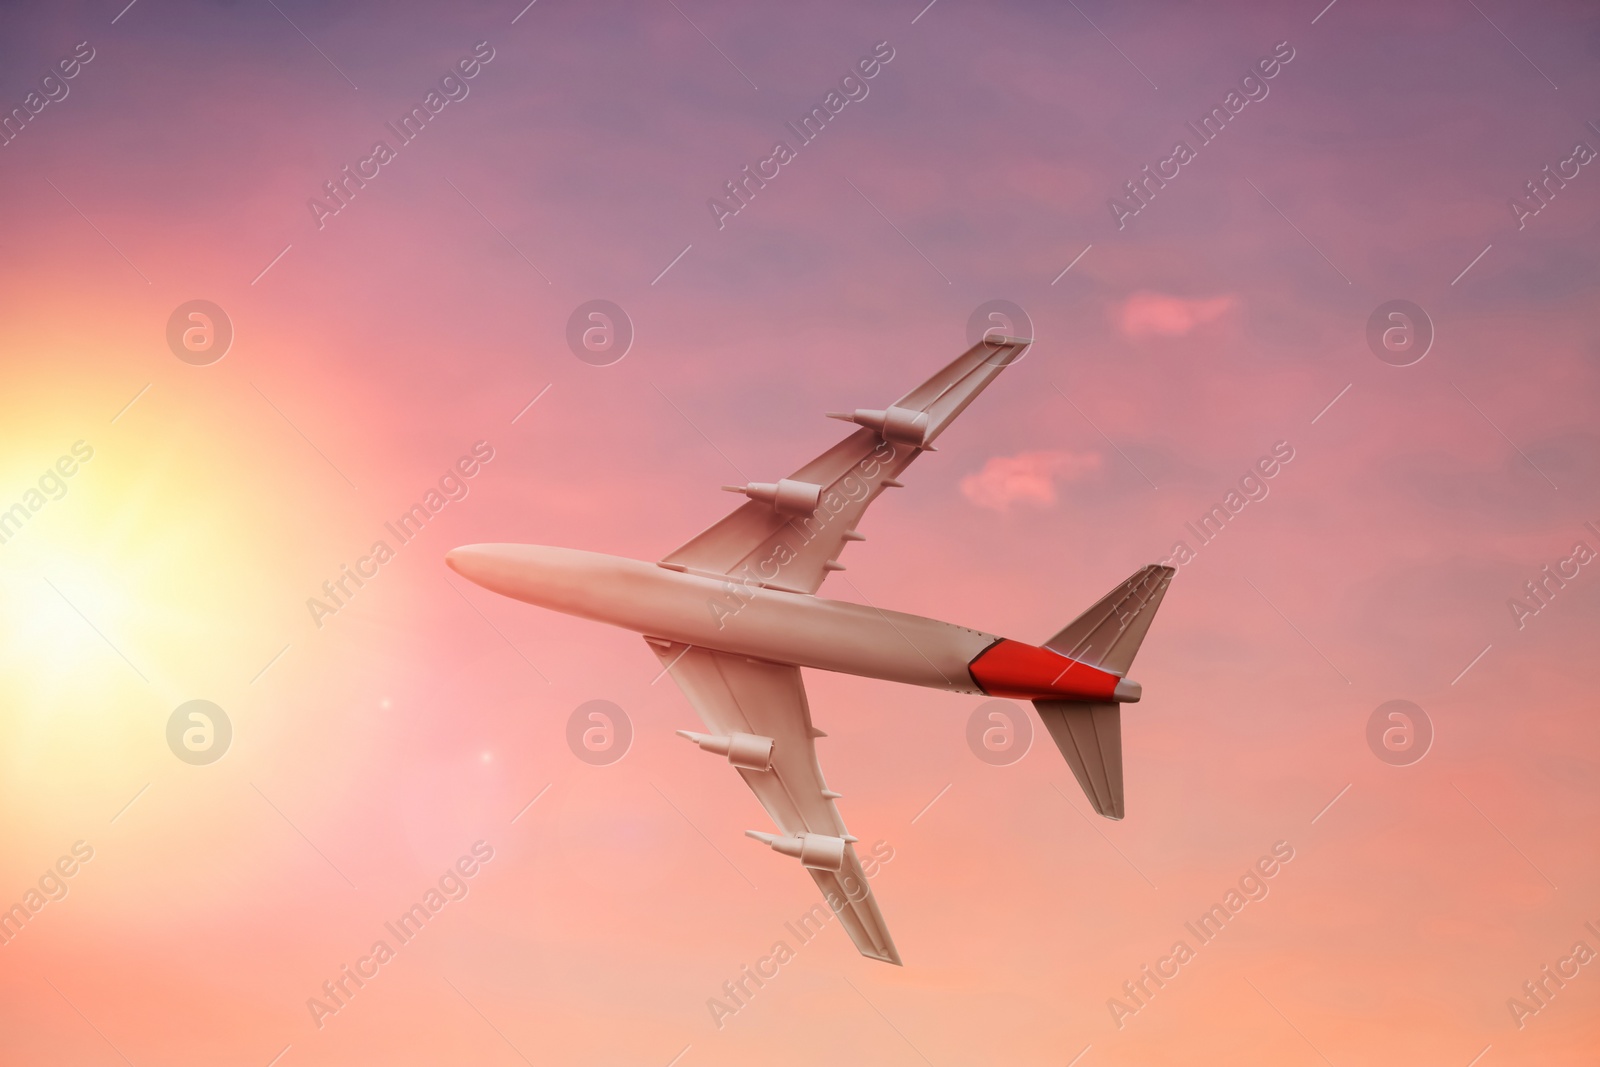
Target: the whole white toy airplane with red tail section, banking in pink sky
(734, 617)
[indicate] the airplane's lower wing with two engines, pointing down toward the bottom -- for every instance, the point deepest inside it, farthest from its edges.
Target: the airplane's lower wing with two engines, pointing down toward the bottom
(759, 719)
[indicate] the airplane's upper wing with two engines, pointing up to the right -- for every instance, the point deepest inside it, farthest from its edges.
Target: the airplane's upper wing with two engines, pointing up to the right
(790, 533)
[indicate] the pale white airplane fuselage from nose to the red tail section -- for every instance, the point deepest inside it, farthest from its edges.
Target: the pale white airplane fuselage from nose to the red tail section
(750, 621)
